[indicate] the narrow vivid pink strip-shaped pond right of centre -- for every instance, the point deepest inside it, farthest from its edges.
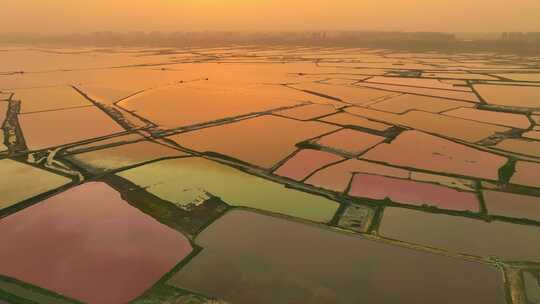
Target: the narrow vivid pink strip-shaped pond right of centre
(412, 193)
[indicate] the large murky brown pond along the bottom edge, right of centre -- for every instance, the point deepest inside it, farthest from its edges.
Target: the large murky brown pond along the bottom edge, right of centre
(251, 256)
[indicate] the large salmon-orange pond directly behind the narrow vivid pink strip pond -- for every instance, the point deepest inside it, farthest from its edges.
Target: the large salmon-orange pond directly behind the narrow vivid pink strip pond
(424, 151)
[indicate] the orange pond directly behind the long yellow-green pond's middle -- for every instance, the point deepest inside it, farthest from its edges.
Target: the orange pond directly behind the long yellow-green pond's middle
(262, 141)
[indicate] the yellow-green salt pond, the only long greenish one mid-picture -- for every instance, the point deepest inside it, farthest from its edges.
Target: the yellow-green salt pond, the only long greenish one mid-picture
(190, 180)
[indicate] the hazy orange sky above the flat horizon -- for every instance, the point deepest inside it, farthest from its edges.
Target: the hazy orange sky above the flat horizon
(50, 16)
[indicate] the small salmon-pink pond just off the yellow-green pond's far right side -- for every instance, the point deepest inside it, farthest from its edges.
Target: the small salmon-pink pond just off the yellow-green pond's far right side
(305, 162)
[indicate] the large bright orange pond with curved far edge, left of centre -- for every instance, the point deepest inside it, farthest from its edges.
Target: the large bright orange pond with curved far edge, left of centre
(201, 102)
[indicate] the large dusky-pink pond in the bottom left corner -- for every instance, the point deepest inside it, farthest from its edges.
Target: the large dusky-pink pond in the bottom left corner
(88, 244)
